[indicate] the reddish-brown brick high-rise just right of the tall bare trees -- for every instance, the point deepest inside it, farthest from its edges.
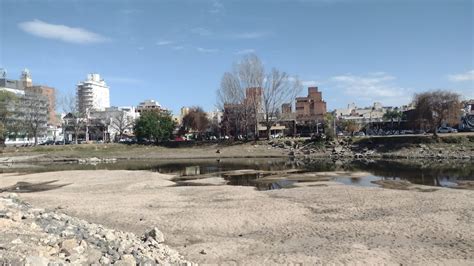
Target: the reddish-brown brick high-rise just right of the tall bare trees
(310, 108)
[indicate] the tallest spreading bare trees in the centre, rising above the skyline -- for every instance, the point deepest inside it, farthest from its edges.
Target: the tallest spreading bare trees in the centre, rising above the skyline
(259, 95)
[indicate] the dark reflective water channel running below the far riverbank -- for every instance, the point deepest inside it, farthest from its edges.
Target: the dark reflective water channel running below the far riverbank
(429, 173)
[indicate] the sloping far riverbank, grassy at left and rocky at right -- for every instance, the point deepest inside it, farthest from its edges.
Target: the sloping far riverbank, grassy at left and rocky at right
(448, 146)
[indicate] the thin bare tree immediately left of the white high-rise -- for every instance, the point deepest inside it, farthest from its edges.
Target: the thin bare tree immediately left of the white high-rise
(72, 120)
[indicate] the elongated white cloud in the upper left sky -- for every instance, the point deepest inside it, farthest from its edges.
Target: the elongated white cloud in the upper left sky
(61, 32)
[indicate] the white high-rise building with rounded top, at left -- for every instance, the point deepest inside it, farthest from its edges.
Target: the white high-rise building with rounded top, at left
(92, 94)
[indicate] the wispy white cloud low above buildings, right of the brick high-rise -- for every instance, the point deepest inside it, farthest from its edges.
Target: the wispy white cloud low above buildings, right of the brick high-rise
(377, 86)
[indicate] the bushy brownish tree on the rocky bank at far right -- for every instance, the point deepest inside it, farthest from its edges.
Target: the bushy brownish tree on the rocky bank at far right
(436, 108)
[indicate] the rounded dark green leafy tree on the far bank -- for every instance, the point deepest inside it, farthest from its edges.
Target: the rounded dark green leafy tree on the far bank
(154, 126)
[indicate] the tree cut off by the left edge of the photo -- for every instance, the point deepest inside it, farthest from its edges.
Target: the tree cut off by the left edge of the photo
(7, 105)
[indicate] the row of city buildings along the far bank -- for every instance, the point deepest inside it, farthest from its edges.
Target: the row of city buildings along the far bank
(91, 116)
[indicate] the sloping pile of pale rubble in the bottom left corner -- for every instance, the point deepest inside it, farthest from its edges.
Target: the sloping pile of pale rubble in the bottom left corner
(31, 236)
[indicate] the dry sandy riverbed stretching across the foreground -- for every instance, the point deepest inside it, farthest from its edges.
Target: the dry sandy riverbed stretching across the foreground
(321, 222)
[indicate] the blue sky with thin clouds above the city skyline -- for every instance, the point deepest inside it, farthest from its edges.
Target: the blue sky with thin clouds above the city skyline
(176, 51)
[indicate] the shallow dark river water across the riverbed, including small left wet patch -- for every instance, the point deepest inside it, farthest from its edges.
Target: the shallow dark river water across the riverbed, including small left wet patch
(429, 173)
